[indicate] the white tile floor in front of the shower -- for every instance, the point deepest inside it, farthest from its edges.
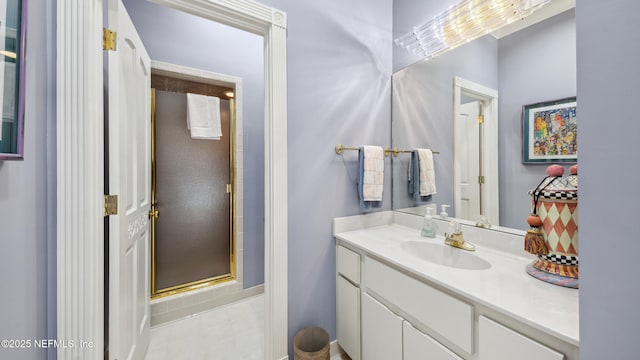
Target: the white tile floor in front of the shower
(230, 332)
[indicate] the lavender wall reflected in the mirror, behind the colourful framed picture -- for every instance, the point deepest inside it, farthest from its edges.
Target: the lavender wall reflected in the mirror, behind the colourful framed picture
(535, 64)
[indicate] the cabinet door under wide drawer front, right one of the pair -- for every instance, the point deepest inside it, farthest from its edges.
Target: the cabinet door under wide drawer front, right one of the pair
(419, 346)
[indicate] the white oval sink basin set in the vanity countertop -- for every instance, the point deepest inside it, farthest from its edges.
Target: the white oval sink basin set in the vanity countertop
(445, 255)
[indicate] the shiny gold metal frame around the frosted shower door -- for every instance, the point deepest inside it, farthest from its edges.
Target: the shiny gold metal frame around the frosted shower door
(154, 215)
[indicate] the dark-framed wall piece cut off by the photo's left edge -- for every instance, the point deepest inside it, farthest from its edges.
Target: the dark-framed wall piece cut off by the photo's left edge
(12, 25)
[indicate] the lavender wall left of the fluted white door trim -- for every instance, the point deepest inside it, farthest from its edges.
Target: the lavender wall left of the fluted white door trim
(27, 204)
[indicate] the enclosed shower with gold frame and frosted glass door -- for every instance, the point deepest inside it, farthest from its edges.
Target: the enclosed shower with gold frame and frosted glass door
(193, 185)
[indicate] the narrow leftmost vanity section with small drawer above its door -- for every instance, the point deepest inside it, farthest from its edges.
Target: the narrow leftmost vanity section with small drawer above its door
(348, 301)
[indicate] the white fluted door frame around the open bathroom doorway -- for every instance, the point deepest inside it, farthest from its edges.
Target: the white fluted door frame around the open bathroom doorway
(80, 166)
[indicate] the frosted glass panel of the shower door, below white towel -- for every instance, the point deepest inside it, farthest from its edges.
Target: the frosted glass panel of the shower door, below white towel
(193, 229)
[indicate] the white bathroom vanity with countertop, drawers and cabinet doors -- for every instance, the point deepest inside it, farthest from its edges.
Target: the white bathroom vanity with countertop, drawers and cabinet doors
(403, 296)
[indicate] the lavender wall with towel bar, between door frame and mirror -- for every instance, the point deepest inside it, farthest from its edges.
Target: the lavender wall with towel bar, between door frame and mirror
(339, 85)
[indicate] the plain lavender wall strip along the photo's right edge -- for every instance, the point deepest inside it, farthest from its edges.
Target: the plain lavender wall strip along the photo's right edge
(608, 47)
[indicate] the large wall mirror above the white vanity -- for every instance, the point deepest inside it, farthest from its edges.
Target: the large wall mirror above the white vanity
(436, 100)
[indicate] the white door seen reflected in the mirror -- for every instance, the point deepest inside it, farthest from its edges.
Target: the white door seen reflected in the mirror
(468, 143)
